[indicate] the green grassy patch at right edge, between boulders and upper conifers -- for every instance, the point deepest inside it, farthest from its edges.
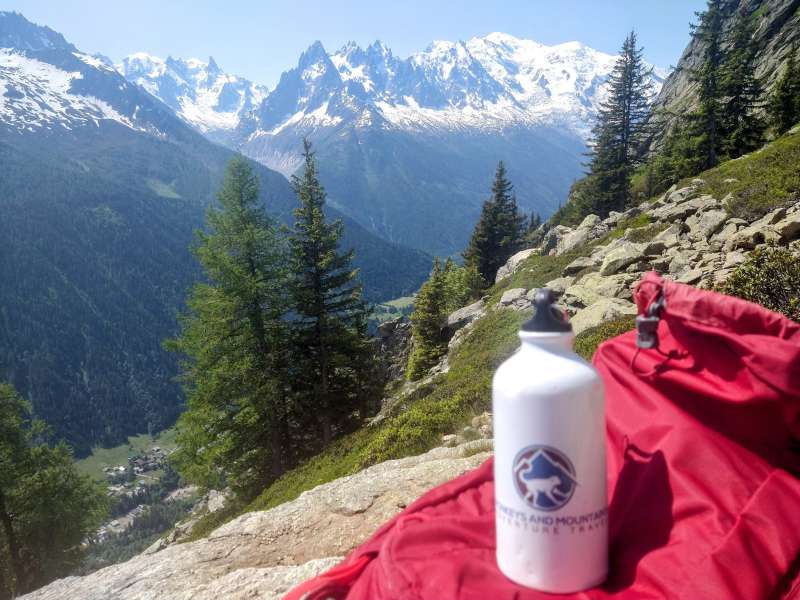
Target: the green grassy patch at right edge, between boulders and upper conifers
(764, 179)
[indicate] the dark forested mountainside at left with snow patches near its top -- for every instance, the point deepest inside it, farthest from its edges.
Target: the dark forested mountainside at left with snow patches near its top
(101, 190)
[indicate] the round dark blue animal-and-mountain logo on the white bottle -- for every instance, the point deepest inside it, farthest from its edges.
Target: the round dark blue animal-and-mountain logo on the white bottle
(544, 477)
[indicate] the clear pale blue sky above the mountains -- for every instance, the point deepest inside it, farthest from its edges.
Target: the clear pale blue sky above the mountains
(261, 39)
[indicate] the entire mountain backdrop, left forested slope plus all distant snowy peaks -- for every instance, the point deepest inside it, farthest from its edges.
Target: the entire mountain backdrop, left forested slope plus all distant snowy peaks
(108, 170)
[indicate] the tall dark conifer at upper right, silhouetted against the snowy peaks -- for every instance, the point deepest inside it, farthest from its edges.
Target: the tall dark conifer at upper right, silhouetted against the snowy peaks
(619, 133)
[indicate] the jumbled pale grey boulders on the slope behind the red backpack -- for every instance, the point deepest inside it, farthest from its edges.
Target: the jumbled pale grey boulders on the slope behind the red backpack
(690, 238)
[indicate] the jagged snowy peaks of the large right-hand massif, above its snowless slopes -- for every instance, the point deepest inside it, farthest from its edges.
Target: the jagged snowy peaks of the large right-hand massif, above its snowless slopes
(490, 82)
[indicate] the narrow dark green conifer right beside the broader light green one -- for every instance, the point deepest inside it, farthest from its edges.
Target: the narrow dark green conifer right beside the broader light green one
(328, 307)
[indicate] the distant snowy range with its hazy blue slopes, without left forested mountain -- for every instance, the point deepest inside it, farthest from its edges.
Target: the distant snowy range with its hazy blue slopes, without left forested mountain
(407, 146)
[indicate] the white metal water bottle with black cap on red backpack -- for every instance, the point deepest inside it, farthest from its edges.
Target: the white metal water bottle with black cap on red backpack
(551, 500)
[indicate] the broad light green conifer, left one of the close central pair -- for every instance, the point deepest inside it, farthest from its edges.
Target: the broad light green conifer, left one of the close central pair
(233, 339)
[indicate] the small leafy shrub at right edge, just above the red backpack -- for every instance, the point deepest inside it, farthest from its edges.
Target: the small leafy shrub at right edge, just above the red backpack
(771, 277)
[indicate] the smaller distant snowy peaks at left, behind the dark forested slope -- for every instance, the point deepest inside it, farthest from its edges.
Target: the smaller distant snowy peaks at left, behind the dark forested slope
(199, 92)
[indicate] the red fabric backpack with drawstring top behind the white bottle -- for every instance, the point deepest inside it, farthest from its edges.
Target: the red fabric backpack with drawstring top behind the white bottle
(702, 502)
